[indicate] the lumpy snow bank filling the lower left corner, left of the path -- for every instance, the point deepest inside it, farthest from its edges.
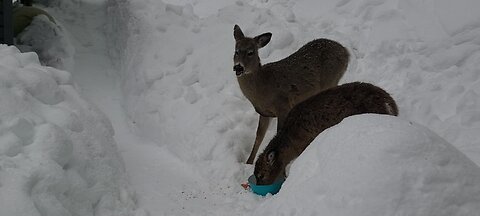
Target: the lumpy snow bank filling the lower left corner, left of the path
(57, 153)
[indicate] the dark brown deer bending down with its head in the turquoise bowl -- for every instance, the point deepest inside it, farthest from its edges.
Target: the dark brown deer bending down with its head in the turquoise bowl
(309, 118)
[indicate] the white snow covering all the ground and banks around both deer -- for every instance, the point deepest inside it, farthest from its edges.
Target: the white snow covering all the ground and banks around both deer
(148, 118)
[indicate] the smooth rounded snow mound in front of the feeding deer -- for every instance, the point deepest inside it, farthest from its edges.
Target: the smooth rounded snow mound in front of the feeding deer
(379, 165)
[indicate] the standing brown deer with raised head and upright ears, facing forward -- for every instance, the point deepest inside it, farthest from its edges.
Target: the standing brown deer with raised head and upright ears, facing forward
(274, 88)
